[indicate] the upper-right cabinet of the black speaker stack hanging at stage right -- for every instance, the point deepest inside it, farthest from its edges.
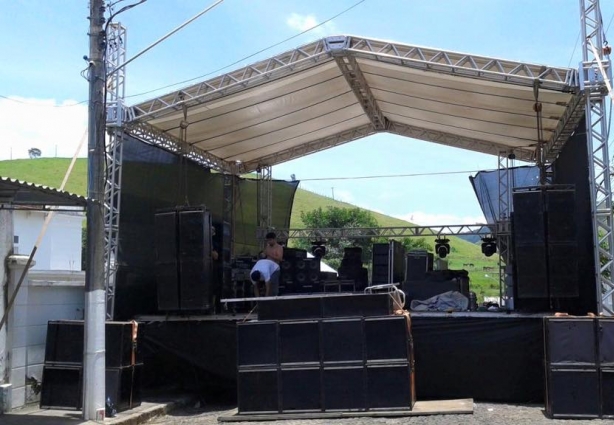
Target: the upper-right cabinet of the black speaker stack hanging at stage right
(561, 217)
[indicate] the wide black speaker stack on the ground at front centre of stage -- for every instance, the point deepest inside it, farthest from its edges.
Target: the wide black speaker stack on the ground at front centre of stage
(324, 364)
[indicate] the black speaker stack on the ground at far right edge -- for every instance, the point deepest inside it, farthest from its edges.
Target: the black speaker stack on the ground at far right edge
(579, 367)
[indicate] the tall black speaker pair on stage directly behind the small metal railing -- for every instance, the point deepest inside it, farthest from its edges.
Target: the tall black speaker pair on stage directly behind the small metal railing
(388, 263)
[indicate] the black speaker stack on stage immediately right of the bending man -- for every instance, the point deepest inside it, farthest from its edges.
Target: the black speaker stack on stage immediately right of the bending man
(298, 273)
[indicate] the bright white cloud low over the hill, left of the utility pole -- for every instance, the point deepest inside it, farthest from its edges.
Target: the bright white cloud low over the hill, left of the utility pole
(39, 123)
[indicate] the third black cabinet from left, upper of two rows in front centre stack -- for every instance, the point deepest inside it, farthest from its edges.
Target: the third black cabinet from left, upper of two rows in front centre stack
(342, 341)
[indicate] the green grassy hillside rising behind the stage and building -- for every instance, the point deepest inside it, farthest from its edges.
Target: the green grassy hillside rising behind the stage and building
(50, 172)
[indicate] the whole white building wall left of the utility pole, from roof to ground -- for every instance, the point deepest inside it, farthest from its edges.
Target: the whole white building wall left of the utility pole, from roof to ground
(52, 290)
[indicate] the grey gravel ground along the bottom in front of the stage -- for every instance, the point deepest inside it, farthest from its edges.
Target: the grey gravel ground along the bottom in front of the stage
(492, 414)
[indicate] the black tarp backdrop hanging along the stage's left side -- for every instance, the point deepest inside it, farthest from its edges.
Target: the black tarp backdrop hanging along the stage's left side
(153, 179)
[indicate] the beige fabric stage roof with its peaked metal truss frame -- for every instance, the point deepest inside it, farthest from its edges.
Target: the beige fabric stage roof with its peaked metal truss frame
(342, 88)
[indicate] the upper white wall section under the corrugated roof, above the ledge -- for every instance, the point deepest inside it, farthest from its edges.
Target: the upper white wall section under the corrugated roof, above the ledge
(61, 247)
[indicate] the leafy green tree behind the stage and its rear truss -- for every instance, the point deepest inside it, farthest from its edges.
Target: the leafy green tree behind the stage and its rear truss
(334, 217)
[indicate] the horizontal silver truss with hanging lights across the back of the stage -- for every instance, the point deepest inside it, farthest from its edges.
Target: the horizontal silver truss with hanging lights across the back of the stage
(388, 232)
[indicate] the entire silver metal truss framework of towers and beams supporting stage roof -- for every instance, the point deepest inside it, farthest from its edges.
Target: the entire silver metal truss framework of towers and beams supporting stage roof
(347, 52)
